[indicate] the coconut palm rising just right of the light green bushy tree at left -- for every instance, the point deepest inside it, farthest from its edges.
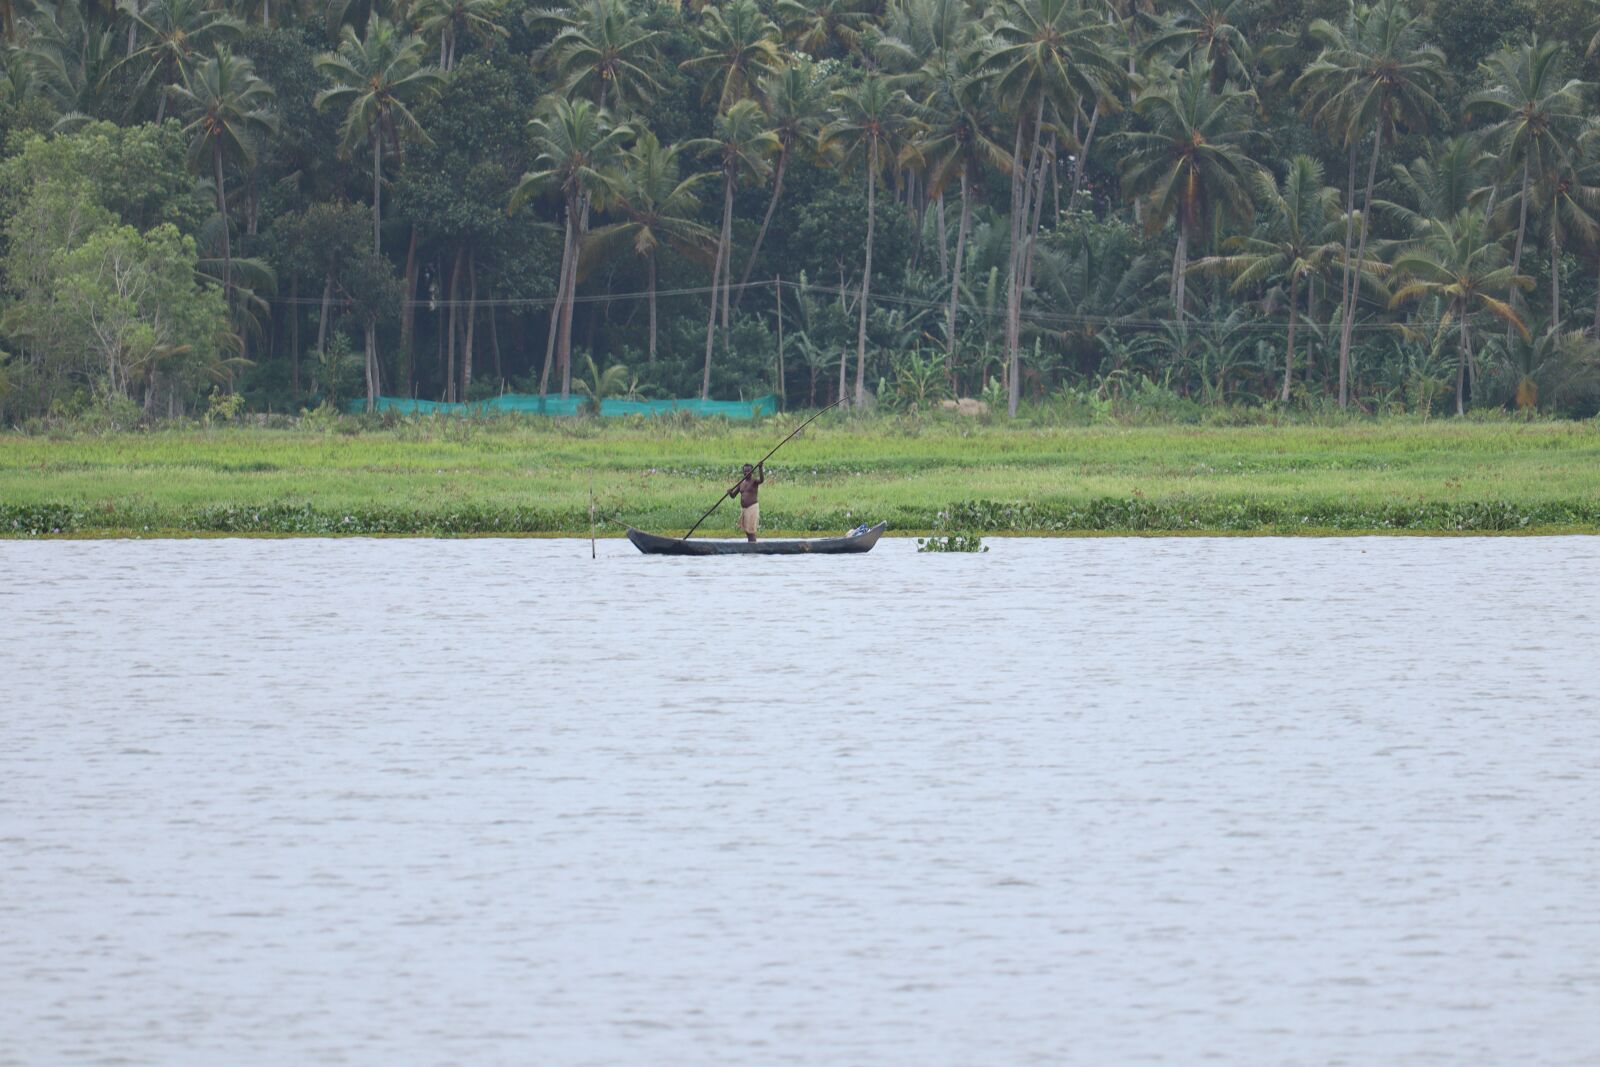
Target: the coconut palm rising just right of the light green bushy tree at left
(233, 110)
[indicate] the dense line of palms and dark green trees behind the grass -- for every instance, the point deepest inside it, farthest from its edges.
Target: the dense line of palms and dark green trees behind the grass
(1390, 206)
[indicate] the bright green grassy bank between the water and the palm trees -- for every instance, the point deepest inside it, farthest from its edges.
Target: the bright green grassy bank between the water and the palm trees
(433, 478)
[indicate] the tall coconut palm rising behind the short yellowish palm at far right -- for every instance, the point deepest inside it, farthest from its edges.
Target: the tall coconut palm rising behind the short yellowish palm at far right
(1537, 118)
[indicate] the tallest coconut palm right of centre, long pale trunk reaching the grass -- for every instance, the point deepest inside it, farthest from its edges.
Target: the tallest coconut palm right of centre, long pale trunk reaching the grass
(1047, 54)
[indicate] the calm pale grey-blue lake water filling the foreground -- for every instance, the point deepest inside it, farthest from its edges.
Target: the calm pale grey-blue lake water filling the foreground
(1071, 802)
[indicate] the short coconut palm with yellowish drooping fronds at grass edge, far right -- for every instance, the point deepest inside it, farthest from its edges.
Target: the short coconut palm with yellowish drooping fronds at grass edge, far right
(1460, 265)
